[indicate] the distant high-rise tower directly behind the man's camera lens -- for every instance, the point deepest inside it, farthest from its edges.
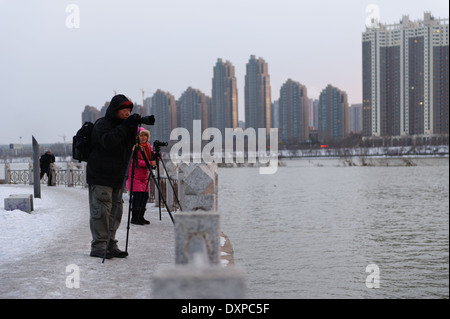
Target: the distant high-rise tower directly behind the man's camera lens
(165, 111)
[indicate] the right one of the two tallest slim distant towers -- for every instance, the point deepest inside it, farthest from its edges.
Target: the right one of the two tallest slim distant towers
(257, 95)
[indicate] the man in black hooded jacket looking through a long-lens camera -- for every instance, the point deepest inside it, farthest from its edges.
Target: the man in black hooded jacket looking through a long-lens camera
(113, 137)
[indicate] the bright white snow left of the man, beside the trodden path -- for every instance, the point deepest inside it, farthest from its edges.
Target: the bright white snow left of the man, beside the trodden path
(55, 213)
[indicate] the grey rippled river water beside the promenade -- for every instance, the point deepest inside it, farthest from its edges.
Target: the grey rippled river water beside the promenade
(311, 229)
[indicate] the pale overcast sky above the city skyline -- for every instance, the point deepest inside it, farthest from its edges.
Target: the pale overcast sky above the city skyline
(51, 68)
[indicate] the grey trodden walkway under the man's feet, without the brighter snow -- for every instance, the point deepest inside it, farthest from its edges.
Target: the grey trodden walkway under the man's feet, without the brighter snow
(49, 272)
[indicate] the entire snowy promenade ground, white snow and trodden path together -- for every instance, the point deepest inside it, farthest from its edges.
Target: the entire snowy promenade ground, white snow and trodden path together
(38, 250)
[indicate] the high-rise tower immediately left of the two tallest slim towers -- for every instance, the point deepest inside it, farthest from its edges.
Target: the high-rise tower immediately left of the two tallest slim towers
(193, 105)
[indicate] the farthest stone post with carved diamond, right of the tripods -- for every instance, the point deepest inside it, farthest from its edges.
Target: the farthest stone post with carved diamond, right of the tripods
(198, 186)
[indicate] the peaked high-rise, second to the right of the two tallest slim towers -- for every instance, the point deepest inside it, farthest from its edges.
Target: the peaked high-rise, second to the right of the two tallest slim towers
(333, 114)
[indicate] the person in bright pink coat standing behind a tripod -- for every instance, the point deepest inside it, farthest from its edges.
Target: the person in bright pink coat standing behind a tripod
(141, 179)
